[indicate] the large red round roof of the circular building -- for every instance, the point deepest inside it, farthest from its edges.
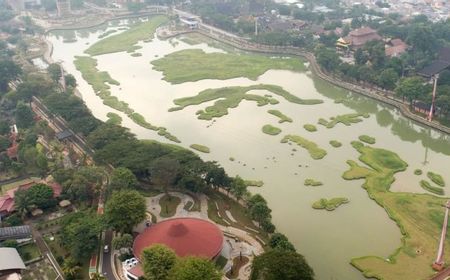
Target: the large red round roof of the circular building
(186, 236)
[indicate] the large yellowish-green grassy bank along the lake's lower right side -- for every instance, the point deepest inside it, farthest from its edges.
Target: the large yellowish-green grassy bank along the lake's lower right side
(419, 217)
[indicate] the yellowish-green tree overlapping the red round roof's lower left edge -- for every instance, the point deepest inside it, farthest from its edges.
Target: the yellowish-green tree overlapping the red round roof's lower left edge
(157, 262)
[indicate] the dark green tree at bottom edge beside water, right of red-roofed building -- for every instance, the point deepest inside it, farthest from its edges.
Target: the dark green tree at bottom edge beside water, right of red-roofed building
(277, 264)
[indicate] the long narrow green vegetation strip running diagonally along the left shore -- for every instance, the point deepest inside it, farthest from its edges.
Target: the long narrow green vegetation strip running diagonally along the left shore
(101, 81)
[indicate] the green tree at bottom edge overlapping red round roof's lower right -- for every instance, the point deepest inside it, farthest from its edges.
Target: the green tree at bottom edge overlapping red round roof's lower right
(194, 268)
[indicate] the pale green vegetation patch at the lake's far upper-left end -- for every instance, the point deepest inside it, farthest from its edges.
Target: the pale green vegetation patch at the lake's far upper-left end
(127, 40)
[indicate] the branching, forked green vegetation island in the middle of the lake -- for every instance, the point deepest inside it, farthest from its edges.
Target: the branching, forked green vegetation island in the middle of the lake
(231, 97)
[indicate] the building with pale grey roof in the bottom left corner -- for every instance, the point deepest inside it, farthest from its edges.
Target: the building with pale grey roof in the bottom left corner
(11, 264)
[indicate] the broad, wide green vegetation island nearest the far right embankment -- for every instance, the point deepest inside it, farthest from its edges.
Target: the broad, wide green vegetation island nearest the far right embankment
(193, 65)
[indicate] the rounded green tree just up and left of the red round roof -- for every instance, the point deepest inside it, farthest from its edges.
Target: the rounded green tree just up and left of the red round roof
(124, 210)
